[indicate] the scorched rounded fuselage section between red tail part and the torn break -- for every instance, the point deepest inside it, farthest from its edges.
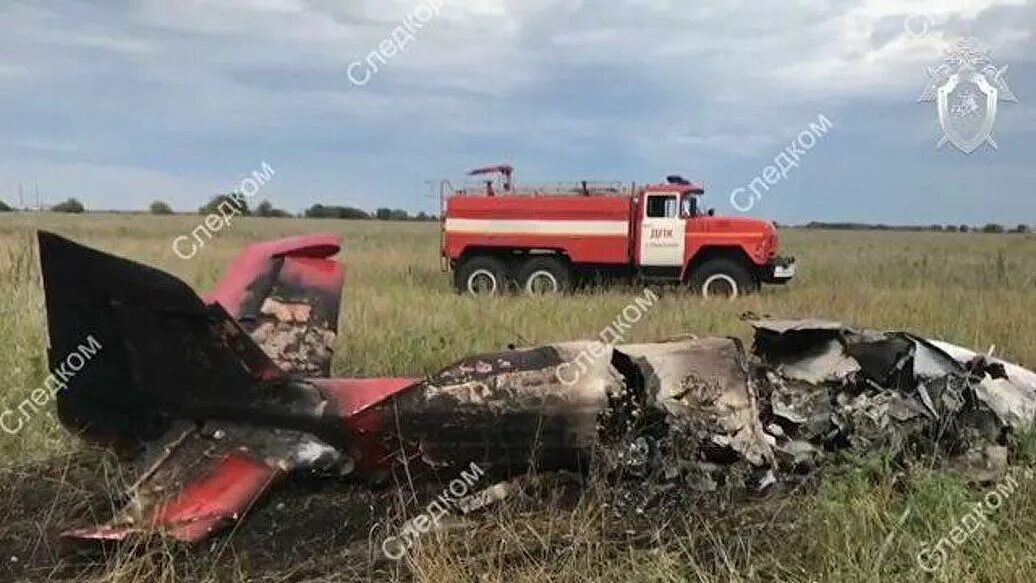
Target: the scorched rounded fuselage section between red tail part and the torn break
(510, 413)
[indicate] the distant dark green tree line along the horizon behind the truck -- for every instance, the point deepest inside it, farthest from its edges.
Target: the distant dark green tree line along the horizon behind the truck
(267, 210)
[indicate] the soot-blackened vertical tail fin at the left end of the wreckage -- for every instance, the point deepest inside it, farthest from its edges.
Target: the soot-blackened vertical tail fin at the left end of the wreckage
(164, 353)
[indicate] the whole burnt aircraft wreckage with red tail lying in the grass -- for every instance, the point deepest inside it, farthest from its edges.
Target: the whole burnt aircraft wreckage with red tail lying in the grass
(219, 399)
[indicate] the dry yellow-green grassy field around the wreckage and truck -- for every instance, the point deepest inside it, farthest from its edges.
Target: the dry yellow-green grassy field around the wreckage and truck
(401, 318)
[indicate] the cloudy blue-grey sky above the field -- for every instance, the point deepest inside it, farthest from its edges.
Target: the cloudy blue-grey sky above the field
(121, 103)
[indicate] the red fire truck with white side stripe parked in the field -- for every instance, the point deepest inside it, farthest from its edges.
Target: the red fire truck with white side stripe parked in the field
(543, 240)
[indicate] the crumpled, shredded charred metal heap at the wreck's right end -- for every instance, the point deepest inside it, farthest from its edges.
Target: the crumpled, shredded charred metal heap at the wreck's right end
(905, 393)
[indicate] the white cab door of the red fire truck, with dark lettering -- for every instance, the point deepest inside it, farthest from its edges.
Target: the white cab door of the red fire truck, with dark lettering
(663, 231)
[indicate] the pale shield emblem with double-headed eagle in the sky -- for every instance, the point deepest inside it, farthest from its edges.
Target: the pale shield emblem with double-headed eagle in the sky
(967, 90)
